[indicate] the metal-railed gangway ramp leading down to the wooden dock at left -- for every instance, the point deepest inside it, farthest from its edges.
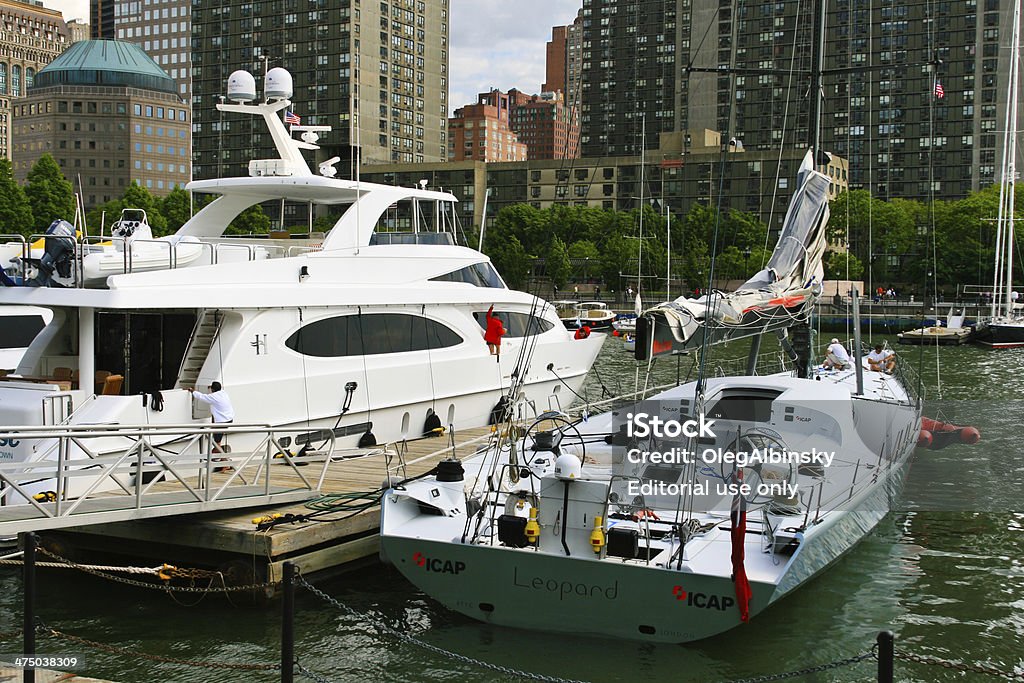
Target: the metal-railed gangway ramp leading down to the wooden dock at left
(160, 472)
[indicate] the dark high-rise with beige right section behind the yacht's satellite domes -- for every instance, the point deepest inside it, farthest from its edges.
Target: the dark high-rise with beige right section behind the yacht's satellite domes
(375, 72)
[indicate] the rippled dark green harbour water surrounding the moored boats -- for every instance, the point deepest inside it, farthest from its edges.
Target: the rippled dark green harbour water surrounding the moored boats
(945, 573)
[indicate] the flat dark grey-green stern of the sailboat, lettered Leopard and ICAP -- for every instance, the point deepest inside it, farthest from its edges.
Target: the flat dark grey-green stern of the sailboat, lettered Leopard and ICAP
(536, 591)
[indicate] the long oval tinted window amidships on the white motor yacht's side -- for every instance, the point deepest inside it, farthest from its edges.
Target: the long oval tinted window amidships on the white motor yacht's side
(370, 335)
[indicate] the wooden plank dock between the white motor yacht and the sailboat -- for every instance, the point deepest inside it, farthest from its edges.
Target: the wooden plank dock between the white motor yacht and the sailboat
(231, 541)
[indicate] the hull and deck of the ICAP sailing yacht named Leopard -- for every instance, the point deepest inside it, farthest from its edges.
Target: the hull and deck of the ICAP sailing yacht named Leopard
(564, 586)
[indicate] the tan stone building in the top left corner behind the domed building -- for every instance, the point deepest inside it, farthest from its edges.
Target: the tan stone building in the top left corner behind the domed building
(31, 37)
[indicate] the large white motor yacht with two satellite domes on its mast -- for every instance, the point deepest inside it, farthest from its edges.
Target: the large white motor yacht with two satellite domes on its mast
(369, 335)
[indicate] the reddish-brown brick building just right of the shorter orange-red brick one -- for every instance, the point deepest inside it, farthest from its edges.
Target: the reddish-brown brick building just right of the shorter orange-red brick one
(545, 125)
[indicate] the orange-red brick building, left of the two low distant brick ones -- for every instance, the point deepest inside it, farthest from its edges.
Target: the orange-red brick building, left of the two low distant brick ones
(483, 132)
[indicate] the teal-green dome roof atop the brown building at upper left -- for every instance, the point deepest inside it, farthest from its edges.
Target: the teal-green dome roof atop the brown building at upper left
(105, 63)
